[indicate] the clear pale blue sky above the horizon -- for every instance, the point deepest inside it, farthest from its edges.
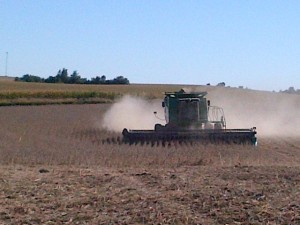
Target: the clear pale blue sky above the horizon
(255, 44)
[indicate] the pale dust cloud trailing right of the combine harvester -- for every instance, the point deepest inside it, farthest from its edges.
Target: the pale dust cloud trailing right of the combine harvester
(274, 114)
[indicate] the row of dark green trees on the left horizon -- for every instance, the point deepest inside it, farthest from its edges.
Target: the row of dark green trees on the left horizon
(63, 77)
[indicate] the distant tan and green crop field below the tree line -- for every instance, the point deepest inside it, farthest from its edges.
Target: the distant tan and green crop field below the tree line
(22, 93)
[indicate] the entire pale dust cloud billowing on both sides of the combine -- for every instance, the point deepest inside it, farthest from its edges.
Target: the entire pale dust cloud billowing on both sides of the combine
(273, 114)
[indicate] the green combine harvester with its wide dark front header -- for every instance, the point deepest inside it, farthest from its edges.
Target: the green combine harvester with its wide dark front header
(190, 118)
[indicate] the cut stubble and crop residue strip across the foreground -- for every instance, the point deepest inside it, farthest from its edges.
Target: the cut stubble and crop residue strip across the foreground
(184, 195)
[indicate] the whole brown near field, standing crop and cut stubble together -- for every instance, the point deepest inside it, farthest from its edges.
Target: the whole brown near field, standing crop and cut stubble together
(55, 169)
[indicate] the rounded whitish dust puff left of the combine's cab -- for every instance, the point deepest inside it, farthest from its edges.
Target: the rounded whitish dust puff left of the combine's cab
(133, 113)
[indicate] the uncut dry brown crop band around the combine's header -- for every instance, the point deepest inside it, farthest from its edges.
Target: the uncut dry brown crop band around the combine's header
(72, 135)
